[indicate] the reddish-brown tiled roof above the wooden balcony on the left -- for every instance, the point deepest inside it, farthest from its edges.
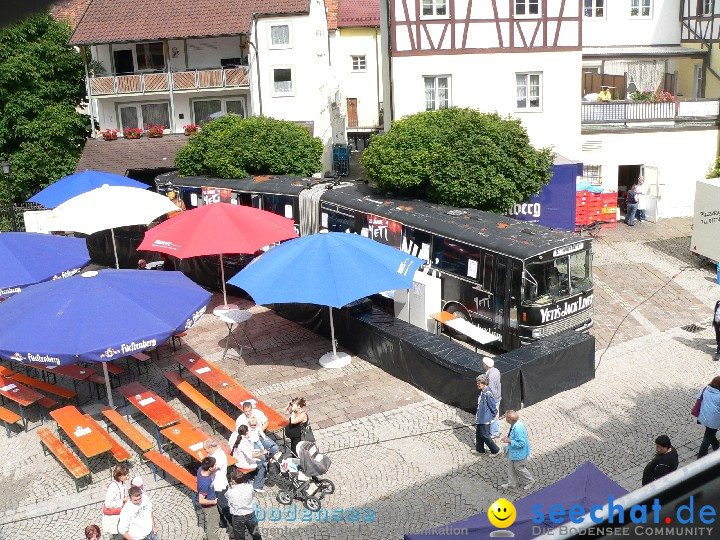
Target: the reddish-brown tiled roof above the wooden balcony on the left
(114, 21)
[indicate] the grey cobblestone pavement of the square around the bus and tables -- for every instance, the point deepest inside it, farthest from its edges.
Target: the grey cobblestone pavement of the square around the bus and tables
(401, 460)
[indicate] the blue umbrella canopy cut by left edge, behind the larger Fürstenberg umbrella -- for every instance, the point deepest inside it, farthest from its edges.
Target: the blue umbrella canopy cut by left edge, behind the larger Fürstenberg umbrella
(28, 258)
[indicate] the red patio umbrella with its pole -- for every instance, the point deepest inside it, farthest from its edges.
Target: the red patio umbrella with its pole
(216, 229)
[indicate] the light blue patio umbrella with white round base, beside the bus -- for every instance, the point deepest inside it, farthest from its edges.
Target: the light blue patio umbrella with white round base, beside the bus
(330, 269)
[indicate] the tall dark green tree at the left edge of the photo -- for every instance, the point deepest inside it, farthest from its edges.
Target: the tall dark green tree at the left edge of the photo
(42, 83)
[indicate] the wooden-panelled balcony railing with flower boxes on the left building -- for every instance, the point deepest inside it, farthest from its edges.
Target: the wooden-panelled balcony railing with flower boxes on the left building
(143, 83)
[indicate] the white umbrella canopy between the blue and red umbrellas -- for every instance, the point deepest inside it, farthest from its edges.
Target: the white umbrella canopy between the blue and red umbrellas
(108, 207)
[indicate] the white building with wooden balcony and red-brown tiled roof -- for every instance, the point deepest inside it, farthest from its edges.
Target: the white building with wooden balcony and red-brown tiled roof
(173, 75)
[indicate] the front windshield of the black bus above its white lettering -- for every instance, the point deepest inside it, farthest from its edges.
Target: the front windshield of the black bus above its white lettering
(549, 281)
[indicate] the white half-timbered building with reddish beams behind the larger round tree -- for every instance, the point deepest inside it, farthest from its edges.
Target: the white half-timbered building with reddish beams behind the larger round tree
(517, 57)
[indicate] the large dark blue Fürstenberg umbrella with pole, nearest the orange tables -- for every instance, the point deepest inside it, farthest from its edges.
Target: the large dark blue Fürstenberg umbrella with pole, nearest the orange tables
(98, 316)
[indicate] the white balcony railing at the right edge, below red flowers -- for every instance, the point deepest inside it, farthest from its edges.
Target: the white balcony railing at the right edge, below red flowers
(629, 112)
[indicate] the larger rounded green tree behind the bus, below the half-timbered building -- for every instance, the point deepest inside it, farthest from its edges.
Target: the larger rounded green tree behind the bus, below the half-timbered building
(459, 157)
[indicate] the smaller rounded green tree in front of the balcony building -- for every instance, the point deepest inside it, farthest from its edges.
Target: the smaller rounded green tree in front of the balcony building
(235, 147)
